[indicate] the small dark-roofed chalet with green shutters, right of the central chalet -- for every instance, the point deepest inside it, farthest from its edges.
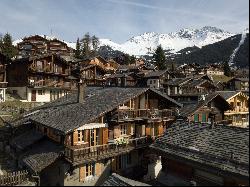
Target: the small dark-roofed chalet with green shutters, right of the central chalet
(209, 109)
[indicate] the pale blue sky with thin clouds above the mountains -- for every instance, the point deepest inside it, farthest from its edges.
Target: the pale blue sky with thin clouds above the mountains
(118, 19)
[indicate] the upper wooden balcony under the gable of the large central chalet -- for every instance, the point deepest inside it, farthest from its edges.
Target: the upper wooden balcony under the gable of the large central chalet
(143, 114)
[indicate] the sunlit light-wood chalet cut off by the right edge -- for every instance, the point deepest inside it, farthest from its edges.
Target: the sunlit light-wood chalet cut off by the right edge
(239, 114)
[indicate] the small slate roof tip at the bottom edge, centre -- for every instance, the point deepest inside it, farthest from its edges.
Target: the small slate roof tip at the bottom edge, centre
(117, 180)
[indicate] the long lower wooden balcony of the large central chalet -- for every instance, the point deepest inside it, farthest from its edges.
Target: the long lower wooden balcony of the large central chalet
(99, 152)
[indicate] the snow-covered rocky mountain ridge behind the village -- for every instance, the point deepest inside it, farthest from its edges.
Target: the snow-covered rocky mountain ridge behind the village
(174, 42)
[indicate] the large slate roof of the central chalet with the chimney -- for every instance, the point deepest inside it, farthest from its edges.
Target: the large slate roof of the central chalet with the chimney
(66, 114)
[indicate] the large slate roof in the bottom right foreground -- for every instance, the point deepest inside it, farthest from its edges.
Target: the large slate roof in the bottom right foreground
(222, 148)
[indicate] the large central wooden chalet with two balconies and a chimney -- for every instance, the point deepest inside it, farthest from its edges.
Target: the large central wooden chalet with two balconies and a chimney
(81, 137)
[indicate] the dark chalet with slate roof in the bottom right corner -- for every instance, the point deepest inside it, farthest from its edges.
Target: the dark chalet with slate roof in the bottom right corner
(204, 155)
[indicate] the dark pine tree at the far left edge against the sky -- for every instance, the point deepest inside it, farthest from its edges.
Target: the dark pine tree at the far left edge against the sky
(6, 46)
